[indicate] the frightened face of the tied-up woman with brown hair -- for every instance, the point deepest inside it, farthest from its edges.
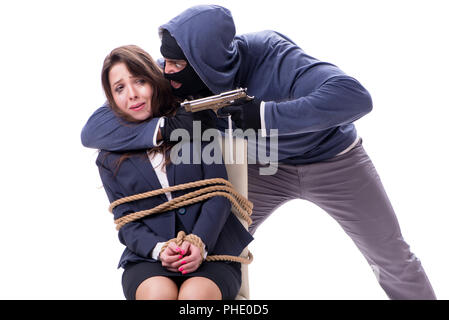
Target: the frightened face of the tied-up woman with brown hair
(131, 94)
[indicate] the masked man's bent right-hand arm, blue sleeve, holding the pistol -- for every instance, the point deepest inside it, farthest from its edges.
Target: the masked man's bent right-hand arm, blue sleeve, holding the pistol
(299, 94)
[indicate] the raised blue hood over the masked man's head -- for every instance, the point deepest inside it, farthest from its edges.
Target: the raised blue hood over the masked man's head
(206, 34)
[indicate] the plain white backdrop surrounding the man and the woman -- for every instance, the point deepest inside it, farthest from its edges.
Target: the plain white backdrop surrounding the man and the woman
(57, 238)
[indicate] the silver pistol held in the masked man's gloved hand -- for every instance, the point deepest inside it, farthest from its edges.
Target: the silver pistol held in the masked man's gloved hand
(218, 101)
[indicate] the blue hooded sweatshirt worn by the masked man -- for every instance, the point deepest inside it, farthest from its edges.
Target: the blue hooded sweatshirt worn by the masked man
(311, 103)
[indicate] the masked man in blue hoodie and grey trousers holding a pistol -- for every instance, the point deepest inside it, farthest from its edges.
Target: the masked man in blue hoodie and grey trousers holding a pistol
(312, 105)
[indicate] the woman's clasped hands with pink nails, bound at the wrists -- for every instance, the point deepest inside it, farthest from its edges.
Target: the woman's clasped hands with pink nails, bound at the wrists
(185, 258)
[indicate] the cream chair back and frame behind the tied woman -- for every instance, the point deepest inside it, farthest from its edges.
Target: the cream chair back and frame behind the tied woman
(237, 169)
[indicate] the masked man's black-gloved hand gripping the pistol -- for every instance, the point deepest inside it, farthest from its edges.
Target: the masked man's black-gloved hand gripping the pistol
(245, 116)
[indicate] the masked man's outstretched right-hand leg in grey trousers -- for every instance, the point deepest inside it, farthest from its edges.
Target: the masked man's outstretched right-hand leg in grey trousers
(349, 189)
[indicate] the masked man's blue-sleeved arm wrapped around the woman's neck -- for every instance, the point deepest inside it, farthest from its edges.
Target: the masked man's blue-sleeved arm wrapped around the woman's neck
(104, 130)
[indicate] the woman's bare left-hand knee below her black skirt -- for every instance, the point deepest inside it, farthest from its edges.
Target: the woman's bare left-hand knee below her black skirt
(157, 288)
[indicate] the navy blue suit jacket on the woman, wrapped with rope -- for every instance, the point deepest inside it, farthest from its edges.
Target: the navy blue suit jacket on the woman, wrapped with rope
(211, 220)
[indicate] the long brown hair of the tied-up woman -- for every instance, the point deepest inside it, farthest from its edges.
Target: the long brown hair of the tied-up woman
(140, 64)
